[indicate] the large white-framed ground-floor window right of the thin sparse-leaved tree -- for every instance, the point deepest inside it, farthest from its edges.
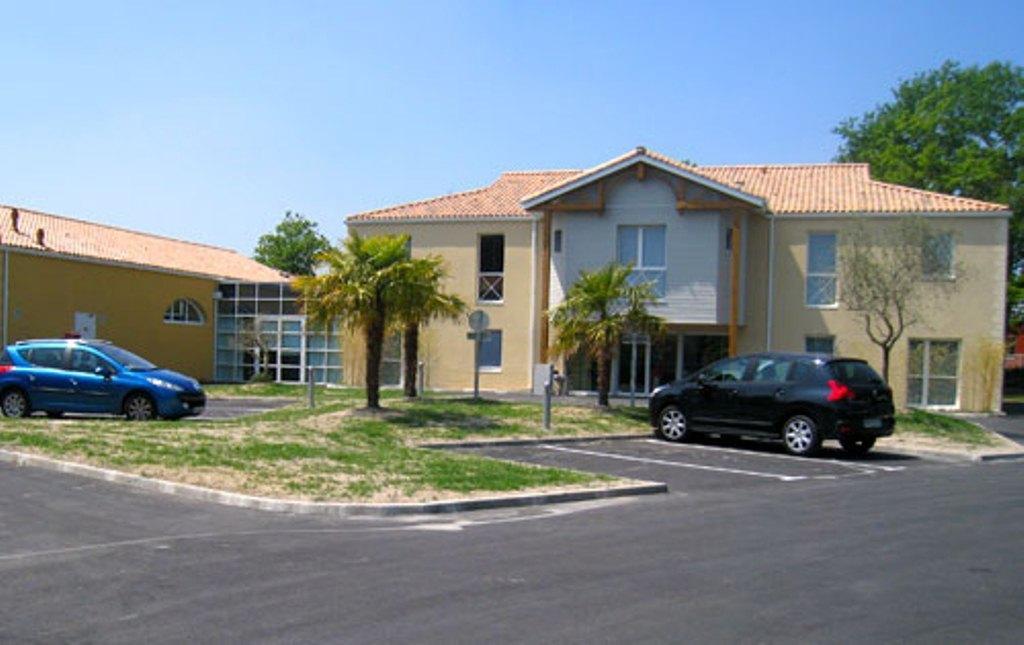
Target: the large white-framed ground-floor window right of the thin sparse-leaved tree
(932, 374)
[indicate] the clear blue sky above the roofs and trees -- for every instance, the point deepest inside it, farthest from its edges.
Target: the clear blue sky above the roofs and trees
(206, 121)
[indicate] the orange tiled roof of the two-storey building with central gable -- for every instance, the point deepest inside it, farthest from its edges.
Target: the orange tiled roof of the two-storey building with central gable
(785, 189)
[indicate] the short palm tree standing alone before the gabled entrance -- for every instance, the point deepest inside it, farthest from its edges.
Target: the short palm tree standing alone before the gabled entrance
(599, 310)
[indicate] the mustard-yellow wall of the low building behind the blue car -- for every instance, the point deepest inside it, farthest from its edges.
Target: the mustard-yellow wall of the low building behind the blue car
(130, 305)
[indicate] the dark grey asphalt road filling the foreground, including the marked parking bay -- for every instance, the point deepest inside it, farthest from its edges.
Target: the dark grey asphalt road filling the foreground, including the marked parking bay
(920, 552)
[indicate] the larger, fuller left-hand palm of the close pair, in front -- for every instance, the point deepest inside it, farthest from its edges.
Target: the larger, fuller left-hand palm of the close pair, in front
(362, 288)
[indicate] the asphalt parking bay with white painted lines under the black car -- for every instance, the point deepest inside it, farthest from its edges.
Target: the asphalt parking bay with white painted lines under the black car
(706, 465)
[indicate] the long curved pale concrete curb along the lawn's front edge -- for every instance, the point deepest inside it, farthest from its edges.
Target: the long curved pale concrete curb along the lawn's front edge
(335, 509)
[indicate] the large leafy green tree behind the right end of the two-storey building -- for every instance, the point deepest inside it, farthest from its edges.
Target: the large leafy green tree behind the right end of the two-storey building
(955, 130)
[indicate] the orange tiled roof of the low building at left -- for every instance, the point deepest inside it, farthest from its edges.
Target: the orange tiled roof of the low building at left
(78, 239)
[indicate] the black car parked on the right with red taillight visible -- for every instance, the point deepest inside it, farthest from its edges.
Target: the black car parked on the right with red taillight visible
(800, 399)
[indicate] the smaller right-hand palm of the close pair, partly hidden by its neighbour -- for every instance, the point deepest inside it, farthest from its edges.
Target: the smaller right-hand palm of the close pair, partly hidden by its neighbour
(421, 300)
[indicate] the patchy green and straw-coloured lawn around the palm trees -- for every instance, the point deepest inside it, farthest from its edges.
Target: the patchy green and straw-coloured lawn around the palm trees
(330, 454)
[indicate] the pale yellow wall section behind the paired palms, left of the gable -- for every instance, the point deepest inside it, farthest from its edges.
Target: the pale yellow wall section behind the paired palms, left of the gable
(445, 350)
